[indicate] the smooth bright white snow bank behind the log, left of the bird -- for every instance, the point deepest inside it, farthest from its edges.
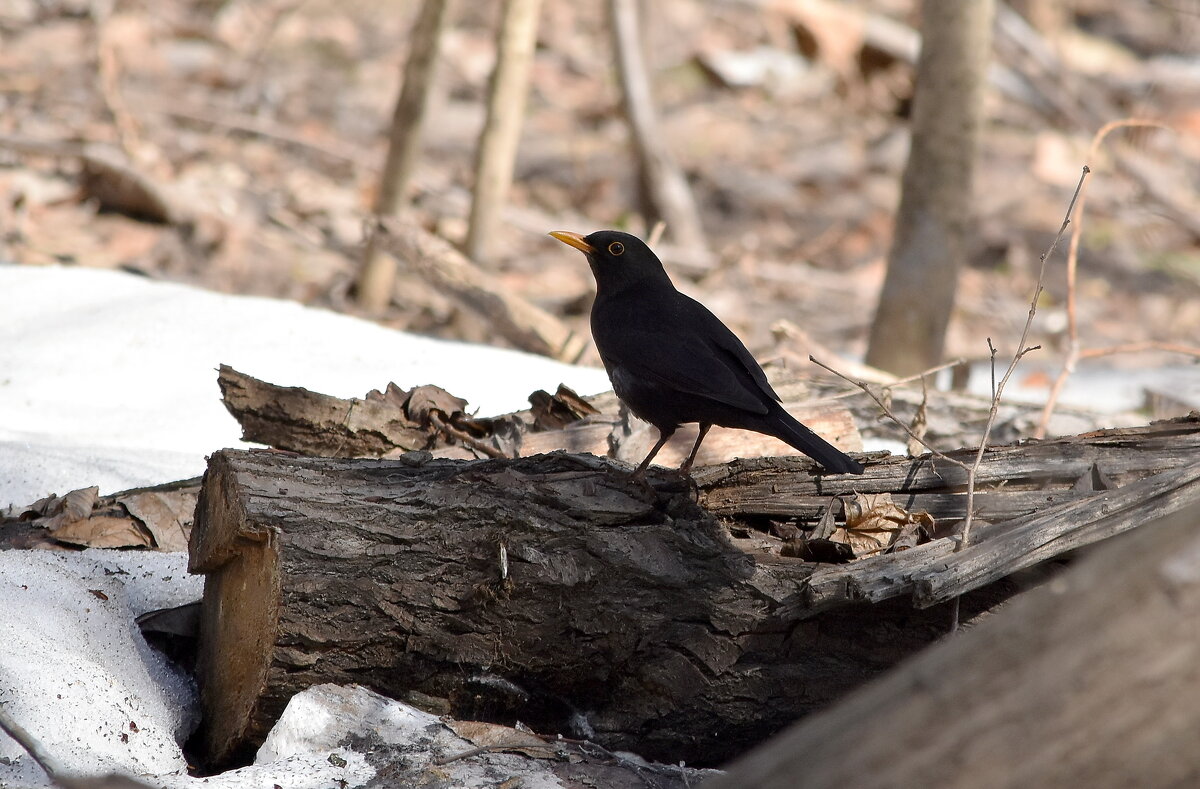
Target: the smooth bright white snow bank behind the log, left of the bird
(110, 380)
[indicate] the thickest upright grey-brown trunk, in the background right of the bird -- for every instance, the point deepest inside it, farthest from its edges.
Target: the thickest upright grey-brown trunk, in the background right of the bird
(931, 242)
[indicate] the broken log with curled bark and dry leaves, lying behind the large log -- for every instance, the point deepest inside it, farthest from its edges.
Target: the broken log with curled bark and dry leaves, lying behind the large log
(429, 418)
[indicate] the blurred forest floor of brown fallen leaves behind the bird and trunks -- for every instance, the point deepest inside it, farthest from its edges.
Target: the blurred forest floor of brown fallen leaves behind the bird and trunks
(239, 146)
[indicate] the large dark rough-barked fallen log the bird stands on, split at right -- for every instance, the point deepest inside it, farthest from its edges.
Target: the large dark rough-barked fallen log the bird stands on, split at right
(550, 589)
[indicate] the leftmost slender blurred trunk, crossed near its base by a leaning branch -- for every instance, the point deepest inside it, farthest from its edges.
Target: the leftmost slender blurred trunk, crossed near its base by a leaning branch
(379, 278)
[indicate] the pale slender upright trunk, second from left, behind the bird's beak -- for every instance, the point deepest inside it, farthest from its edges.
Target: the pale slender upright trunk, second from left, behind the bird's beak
(502, 130)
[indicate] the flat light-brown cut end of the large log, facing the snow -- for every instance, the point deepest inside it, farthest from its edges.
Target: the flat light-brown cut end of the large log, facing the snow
(239, 618)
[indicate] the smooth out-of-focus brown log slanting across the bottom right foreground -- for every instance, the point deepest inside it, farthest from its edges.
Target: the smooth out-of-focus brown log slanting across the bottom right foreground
(1093, 680)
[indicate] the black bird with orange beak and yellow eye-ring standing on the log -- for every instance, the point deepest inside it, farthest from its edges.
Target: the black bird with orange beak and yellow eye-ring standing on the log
(671, 362)
